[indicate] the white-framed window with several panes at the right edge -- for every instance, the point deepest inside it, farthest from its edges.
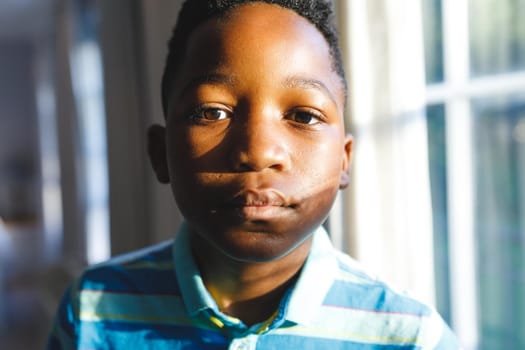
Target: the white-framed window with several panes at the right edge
(476, 128)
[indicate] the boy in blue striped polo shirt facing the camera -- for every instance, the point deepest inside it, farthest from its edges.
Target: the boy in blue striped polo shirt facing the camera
(255, 151)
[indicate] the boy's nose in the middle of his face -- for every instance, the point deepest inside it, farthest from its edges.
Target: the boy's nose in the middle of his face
(257, 145)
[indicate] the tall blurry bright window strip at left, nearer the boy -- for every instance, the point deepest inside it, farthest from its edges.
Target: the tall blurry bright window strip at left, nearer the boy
(87, 77)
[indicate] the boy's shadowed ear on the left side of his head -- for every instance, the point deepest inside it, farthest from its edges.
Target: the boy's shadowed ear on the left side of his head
(157, 152)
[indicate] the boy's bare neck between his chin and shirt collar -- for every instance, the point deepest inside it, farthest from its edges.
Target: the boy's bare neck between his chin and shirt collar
(250, 292)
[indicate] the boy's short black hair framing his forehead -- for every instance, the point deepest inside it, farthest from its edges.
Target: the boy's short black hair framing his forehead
(194, 12)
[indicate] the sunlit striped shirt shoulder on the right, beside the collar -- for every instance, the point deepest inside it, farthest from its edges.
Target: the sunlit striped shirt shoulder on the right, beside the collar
(359, 305)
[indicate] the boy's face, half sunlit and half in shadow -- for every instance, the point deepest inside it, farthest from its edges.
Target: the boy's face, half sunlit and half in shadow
(256, 148)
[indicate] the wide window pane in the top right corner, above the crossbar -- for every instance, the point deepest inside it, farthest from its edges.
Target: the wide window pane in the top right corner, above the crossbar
(497, 36)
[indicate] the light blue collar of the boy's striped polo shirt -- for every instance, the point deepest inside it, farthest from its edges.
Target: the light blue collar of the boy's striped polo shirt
(316, 278)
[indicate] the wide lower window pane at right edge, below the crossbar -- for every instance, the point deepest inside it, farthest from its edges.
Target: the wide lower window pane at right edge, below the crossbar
(499, 130)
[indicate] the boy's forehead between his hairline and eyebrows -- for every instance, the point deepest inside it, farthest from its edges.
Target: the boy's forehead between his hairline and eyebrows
(238, 35)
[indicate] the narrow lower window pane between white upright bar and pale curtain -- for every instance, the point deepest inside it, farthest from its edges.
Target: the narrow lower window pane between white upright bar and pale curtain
(438, 186)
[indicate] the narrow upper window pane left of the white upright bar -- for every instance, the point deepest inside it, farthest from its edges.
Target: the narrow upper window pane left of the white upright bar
(433, 39)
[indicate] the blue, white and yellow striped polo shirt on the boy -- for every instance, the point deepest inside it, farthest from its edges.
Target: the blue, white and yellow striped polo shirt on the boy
(155, 299)
